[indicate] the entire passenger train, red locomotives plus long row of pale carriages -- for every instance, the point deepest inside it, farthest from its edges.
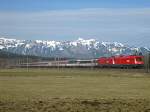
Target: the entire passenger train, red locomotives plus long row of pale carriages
(122, 61)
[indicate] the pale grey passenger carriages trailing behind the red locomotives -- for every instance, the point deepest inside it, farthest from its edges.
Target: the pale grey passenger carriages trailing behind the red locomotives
(60, 64)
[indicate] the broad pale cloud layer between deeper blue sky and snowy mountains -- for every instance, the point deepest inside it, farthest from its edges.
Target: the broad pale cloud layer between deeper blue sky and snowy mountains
(127, 25)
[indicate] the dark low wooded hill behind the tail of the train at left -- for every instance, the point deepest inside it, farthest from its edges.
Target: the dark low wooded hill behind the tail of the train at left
(8, 59)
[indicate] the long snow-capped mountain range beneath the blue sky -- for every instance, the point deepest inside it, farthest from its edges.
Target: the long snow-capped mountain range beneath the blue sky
(80, 48)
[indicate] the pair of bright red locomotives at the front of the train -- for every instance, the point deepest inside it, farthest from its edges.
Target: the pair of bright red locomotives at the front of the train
(121, 61)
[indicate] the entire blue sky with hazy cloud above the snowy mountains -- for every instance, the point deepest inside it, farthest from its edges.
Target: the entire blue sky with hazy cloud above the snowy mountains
(125, 21)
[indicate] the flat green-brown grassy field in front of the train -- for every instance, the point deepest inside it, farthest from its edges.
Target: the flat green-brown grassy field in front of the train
(66, 90)
